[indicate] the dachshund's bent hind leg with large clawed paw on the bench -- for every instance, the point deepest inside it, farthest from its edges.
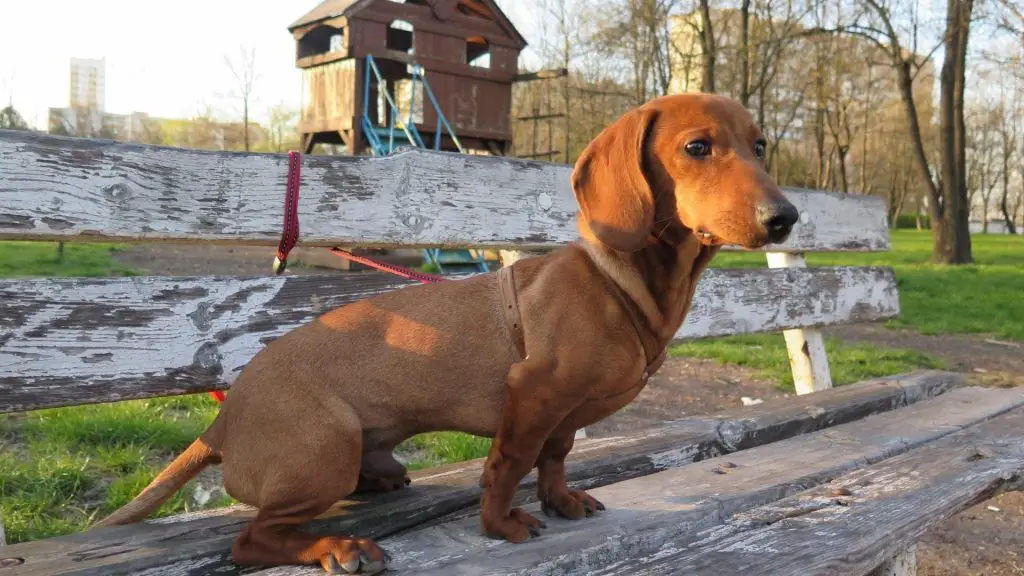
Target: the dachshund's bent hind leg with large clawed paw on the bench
(306, 475)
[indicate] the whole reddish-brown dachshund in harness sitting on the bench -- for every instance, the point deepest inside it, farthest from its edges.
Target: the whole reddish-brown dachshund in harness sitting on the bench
(527, 356)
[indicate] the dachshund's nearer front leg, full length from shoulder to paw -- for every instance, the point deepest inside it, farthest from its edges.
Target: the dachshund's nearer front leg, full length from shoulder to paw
(535, 404)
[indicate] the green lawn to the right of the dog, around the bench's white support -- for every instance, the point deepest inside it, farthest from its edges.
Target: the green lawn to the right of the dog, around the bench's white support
(984, 299)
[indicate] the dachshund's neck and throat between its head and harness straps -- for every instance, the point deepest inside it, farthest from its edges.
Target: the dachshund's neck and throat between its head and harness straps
(660, 279)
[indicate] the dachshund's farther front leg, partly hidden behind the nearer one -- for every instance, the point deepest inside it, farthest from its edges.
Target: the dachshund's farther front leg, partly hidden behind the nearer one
(552, 489)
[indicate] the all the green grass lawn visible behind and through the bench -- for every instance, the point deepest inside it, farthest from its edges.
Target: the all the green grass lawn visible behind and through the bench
(61, 469)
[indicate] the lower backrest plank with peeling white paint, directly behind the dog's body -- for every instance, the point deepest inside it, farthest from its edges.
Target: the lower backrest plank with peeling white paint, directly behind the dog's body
(84, 341)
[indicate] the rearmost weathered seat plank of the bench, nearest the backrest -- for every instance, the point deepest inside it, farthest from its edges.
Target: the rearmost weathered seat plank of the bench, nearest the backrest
(199, 544)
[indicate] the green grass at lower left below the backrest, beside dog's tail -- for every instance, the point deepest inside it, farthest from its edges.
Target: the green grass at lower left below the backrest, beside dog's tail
(62, 468)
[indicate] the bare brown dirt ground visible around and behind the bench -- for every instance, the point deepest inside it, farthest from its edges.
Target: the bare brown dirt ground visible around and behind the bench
(985, 541)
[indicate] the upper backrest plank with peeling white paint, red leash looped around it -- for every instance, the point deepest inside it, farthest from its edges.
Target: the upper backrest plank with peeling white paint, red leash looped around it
(54, 188)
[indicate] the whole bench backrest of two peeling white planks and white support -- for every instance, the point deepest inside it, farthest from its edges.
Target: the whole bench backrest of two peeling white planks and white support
(72, 342)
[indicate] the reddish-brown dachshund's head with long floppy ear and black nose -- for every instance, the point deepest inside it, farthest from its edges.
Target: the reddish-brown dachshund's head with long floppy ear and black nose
(677, 166)
